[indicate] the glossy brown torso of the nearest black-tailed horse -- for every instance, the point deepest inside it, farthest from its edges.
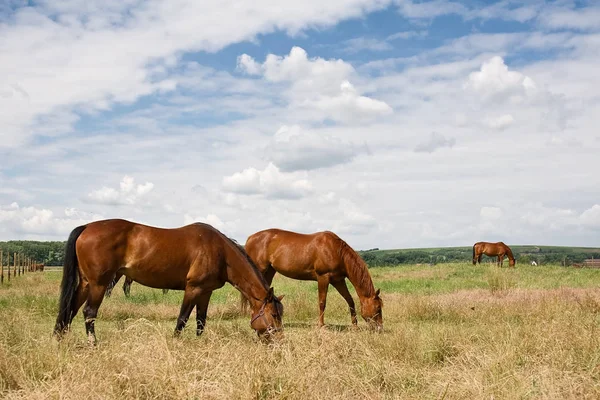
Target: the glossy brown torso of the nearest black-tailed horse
(149, 255)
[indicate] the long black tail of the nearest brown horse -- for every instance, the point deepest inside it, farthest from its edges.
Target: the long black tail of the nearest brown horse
(70, 281)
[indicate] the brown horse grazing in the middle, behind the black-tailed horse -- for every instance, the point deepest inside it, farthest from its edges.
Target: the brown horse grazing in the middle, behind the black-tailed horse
(321, 257)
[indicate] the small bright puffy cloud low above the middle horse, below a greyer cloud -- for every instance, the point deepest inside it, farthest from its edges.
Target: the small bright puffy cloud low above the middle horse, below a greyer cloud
(269, 182)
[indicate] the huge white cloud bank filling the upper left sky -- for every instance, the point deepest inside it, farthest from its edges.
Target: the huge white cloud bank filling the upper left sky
(85, 56)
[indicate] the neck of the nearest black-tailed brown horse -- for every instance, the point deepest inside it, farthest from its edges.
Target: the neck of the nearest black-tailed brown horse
(245, 277)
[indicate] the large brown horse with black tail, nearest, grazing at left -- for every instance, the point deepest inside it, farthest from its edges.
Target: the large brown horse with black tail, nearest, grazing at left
(195, 258)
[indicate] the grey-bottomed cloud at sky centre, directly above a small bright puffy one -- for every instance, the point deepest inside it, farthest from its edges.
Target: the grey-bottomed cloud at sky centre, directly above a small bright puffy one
(294, 149)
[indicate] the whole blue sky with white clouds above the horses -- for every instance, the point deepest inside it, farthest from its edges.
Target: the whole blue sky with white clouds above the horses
(395, 124)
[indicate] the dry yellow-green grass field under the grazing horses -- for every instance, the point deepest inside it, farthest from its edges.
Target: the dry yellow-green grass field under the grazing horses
(452, 331)
